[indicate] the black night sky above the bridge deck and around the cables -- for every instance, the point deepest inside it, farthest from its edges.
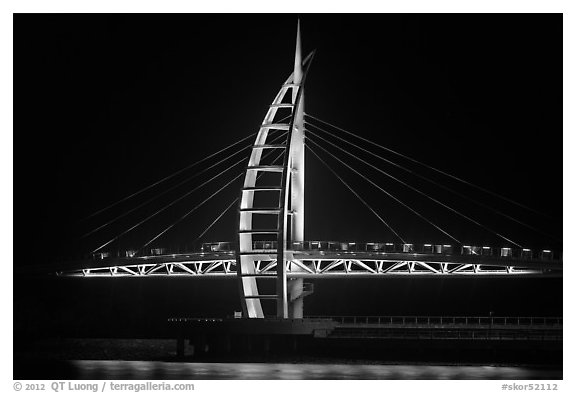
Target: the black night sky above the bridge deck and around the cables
(105, 105)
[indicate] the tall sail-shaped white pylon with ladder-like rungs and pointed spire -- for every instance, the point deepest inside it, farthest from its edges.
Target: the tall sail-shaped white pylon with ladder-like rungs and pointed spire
(271, 210)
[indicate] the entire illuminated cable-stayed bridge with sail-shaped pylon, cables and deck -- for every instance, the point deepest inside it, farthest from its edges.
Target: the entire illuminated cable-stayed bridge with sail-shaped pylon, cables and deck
(270, 241)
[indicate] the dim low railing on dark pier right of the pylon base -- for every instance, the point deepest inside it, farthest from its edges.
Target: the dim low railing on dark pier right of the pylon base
(456, 321)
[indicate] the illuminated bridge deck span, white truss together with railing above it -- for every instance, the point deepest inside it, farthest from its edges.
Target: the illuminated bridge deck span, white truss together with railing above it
(320, 260)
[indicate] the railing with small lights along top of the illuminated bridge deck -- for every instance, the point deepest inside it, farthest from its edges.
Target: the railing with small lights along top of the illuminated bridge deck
(351, 247)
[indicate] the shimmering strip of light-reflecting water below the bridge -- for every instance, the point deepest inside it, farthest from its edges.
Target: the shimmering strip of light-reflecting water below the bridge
(113, 369)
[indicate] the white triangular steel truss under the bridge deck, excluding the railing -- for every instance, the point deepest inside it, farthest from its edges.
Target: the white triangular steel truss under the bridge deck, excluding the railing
(319, 264)
